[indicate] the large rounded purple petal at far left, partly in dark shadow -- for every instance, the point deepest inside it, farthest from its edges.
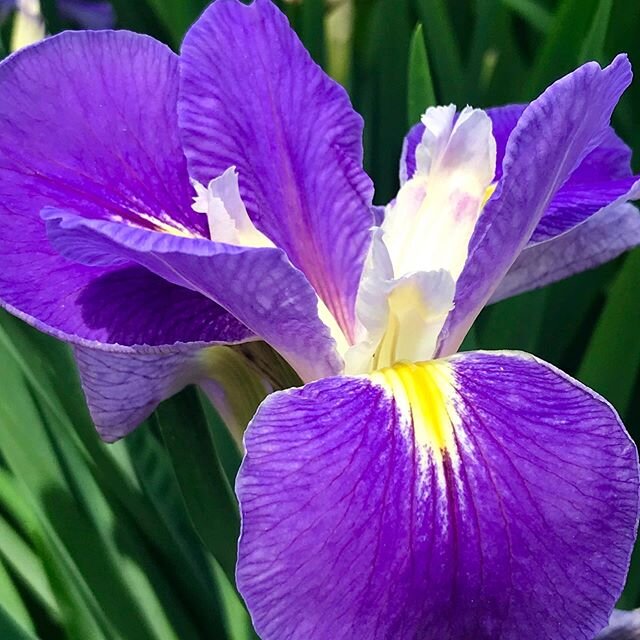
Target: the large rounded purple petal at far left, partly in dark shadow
(79, 123)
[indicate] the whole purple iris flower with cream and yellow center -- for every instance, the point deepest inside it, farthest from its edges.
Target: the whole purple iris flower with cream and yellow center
(155, 206)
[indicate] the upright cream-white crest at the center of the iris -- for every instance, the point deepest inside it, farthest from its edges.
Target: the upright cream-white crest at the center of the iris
(420, 250)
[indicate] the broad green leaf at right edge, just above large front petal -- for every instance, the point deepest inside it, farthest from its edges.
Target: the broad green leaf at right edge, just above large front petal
(612, 359)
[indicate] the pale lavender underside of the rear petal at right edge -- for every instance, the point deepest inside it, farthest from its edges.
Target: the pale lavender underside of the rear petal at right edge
(599, 239)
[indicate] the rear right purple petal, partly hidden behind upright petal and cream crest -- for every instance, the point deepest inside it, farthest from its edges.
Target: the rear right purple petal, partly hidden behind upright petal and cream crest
(587, 218)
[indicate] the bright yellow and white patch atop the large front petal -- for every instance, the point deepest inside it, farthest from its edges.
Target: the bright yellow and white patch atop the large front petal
(423, 393)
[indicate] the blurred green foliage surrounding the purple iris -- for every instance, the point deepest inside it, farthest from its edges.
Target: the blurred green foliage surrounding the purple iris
(137, 541)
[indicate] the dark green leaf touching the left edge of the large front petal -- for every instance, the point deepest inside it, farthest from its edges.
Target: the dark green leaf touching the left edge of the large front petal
(207, 495)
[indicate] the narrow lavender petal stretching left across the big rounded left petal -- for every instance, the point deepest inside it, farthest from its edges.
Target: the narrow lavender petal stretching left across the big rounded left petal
(260, 287)
